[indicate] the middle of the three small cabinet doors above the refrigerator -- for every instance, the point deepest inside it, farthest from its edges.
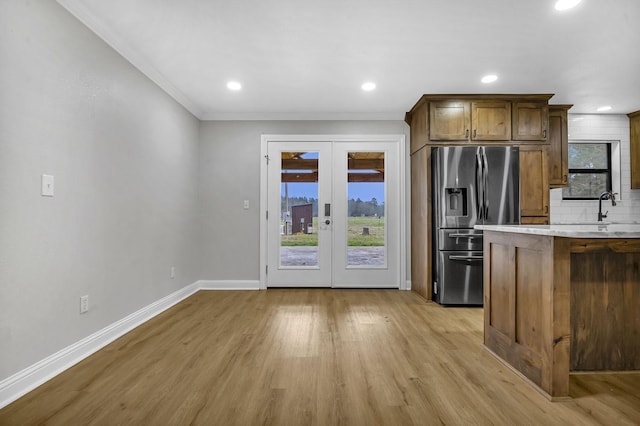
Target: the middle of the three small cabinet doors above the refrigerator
(491, 121)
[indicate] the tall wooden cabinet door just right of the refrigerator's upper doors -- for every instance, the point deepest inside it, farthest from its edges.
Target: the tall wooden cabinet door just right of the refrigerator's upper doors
(534, 181)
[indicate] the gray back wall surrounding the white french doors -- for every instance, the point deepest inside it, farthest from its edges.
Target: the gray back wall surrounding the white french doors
(230, 173)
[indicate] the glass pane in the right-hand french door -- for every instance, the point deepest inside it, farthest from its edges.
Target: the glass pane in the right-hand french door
(366, 209)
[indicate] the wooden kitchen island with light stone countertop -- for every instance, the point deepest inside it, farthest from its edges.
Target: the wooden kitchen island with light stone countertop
(561, 299)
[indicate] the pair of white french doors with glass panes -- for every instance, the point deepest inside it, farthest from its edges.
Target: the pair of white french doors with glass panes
(333, 213)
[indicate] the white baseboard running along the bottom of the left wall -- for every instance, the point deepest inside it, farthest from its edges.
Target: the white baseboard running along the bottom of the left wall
(35, 375)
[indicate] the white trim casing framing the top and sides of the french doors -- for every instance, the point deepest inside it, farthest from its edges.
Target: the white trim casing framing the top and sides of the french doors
(396, 138)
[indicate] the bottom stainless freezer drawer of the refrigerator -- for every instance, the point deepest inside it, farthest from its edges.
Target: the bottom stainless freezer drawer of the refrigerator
(459, 278)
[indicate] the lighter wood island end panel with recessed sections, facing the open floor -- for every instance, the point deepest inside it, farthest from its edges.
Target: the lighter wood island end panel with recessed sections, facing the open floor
(518, 325)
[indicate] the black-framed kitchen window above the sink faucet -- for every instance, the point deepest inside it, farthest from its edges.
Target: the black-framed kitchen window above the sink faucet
(589, 171)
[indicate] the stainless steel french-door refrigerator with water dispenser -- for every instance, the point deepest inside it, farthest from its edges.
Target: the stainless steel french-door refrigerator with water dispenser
(471, 185)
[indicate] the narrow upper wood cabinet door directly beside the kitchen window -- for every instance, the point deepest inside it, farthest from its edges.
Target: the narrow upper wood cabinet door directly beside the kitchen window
(558, 146)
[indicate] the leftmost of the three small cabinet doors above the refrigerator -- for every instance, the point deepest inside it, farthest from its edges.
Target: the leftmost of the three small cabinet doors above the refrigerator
(449, 121)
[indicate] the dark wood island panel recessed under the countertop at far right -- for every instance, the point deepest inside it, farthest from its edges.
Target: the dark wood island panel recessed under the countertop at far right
(605, 309)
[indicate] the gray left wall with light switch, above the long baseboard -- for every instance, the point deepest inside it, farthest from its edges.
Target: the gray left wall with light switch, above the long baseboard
(124, 157)
